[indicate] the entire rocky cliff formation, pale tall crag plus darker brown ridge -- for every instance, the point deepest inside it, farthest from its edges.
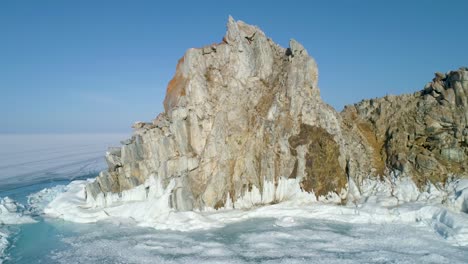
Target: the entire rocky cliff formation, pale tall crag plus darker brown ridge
(244, 124)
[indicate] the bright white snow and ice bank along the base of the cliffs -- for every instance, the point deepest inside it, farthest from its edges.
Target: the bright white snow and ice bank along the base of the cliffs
(377, 203)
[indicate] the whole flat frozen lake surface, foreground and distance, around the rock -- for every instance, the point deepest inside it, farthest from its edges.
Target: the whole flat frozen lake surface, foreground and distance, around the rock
(287, 237)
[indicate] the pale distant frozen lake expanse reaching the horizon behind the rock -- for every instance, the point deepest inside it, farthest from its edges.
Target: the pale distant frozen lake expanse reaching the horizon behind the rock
(27, 159)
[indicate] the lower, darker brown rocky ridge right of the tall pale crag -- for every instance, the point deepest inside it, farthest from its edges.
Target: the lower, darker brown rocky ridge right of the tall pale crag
(424, 135)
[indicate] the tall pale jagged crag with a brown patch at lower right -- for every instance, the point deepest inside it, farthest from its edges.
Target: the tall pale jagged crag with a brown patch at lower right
(239, 115)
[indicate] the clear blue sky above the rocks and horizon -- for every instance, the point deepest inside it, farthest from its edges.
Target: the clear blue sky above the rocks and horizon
(98, 66)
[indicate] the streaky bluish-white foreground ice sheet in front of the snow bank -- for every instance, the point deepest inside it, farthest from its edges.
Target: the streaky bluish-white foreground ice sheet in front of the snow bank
(260, 240)
